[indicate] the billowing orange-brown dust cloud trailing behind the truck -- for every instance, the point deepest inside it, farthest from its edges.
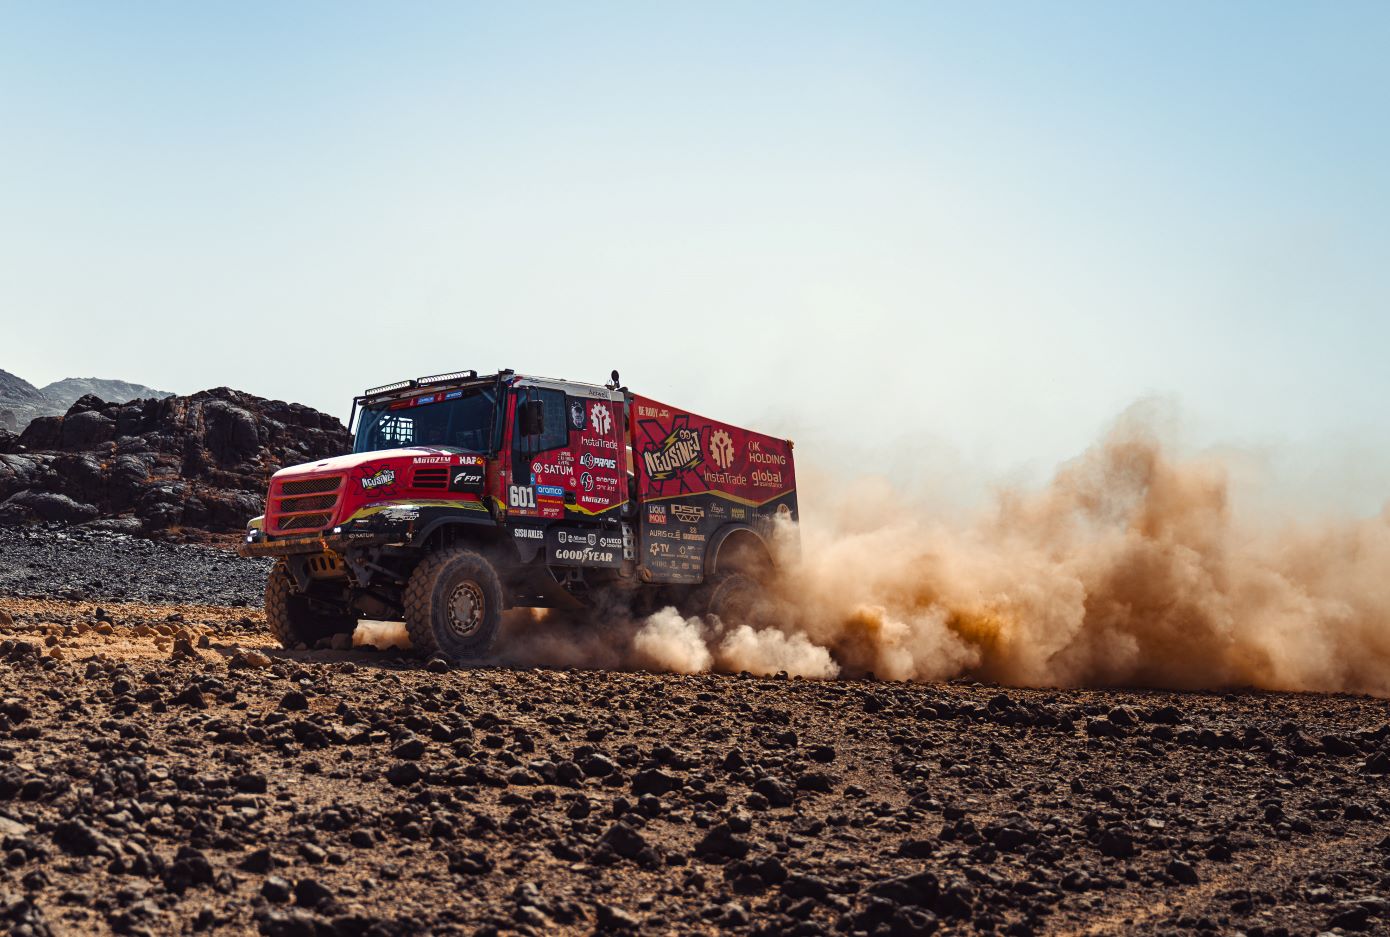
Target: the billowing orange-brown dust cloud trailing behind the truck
(1131, 568)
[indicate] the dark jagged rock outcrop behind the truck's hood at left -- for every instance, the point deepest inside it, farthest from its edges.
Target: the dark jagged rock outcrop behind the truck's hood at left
(179, 466)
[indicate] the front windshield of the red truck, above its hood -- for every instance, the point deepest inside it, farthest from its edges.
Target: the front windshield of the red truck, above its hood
(451, 419)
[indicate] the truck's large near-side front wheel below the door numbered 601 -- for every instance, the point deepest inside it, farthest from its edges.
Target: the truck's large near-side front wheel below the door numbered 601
(454, 605)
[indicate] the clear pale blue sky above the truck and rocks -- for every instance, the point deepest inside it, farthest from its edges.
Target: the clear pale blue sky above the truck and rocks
(970, 233)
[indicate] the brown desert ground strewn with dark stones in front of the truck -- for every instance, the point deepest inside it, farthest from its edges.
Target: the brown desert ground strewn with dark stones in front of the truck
(165, 769)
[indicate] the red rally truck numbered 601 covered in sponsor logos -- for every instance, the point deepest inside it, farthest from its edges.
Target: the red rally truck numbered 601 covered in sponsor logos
(469, 496)
